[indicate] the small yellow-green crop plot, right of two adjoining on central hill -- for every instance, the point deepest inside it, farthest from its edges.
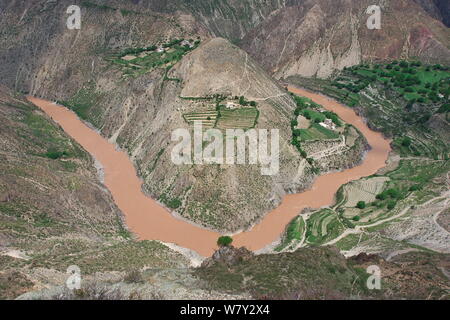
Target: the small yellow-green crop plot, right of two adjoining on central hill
(242, 118)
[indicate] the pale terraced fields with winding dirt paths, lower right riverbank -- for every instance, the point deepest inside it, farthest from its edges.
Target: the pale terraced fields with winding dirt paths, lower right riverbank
(399, 198)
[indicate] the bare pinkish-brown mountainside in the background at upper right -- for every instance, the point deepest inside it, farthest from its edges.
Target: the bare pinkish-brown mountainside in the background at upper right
(314, 38)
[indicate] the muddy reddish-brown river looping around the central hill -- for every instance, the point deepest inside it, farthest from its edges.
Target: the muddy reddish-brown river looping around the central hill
(149, 221)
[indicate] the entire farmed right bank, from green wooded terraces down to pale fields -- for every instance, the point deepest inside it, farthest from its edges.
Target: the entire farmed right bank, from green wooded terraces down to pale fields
(396, 209)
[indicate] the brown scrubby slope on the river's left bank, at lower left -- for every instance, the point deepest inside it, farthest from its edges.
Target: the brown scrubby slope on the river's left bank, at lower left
(54, 210)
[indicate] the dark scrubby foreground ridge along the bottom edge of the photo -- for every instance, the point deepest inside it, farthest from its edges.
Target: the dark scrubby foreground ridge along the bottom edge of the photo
(311, 273)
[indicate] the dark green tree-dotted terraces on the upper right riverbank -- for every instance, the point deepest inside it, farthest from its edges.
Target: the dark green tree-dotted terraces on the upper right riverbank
(400, 99)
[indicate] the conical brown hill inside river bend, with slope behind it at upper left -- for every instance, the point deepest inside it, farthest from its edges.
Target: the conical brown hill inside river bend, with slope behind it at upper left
(138, 106)
